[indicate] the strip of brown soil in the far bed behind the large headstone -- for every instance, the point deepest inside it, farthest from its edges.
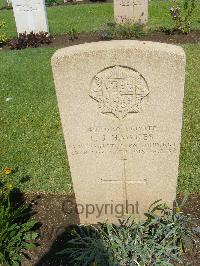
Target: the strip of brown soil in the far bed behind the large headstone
(157, 36)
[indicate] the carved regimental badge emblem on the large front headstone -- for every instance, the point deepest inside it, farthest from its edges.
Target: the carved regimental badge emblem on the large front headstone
(119, 90)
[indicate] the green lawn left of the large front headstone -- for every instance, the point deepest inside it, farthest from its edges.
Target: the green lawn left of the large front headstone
(31, 136)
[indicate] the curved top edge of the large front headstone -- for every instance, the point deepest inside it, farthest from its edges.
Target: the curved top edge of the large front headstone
(117, 45)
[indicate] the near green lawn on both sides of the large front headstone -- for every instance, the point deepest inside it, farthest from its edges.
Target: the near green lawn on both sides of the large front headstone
(31, 137)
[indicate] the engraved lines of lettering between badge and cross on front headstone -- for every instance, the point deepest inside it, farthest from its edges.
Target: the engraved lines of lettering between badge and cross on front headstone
(139, 139)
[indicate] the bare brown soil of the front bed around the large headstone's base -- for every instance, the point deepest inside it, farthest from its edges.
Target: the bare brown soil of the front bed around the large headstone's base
(55, 213)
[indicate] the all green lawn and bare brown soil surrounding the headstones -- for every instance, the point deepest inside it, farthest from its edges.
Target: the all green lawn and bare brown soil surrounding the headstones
(31, 137)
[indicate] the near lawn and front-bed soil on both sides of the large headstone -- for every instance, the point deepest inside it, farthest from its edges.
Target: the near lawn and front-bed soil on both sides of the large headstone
(32, 140)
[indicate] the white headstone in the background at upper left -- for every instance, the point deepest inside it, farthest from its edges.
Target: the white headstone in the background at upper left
(30, 15)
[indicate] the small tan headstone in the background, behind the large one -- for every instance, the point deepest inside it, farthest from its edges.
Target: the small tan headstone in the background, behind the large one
(131, 11)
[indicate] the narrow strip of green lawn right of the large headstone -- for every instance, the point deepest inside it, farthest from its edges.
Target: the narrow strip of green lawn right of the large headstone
(189, 174)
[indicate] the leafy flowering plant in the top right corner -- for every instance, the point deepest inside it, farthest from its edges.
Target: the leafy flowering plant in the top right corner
(182, 15)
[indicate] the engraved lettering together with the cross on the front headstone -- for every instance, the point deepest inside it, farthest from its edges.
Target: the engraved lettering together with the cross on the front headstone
(124, 143)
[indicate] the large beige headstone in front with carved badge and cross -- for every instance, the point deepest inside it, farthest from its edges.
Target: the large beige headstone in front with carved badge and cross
(121, 106)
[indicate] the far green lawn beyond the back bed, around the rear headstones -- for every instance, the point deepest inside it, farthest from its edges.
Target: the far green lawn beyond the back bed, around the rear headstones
(91, 17)
